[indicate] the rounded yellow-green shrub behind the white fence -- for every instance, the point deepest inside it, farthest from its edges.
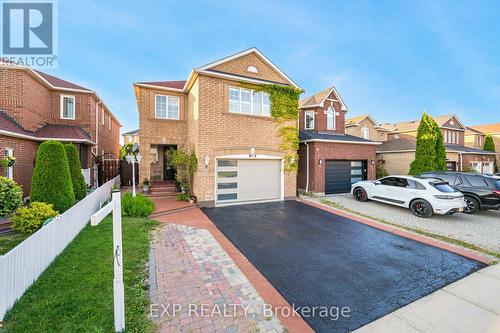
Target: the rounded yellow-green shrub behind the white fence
(29, 219)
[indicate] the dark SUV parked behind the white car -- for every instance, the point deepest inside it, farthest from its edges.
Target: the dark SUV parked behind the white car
(480, 191)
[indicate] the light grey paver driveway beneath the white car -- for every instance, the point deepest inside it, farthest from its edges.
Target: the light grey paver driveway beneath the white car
(482, 229)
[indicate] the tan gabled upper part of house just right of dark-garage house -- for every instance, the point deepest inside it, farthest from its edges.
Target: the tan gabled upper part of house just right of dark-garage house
(366, 127)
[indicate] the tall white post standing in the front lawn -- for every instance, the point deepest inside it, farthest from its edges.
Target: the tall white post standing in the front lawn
(119, 293)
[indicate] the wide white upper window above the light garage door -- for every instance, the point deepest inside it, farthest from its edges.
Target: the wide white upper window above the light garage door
(248, 101)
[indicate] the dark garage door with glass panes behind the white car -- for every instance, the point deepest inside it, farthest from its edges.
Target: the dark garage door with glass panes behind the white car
(339, 175)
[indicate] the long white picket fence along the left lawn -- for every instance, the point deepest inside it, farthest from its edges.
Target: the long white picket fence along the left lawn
(22, 265)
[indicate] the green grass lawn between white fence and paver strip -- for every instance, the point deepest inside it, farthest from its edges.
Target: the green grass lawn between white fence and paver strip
(75, 294)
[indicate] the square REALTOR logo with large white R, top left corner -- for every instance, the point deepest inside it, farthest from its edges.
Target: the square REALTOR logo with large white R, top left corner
(29, 32)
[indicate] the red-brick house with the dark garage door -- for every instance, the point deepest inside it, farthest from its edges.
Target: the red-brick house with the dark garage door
(329, 159)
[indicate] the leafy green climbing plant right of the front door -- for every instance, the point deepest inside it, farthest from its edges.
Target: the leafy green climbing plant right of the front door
(185, 162)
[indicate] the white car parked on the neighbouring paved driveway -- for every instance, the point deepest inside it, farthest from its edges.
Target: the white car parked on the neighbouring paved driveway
(423, 196)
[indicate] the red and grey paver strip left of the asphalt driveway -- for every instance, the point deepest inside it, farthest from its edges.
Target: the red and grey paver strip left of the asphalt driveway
(197, 287)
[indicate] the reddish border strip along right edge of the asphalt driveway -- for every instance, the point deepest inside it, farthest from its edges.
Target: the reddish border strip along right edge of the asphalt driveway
(406, 234)
